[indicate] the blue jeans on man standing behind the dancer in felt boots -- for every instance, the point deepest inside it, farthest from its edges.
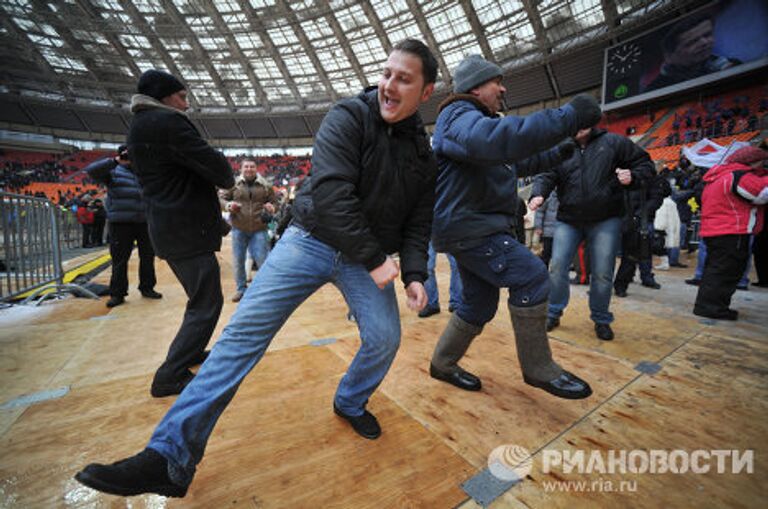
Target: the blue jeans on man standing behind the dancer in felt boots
(602, 243)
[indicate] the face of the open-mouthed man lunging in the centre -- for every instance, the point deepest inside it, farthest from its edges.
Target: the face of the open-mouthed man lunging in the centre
(401, 87)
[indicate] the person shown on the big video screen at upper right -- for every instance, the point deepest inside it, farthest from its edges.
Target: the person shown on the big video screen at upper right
(687, 49)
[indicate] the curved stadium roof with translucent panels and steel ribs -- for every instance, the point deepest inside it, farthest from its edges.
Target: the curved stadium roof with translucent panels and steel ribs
(270, 69)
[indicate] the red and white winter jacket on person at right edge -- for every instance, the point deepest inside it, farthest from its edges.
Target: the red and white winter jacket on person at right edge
(726, 206)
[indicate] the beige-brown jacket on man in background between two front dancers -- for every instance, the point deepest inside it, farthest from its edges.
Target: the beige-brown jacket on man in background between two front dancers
(251, 198)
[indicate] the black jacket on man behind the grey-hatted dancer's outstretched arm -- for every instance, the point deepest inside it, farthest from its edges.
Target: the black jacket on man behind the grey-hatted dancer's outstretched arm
(587, 186)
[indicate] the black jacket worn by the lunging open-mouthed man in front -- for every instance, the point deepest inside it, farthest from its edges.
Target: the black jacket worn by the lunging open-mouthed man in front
(371, 189)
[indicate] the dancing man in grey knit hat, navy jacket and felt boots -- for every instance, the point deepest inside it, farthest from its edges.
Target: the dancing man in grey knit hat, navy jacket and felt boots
(480, 156)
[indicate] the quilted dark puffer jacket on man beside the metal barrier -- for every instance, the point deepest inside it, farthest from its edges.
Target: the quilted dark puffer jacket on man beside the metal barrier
(124, 202)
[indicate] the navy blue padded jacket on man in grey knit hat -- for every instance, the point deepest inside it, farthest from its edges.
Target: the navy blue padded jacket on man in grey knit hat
(480, 157)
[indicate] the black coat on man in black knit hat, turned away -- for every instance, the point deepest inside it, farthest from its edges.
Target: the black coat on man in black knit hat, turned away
(178, 172)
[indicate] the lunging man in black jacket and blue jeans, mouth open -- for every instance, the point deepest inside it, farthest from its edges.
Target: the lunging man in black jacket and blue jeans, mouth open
(370, 194)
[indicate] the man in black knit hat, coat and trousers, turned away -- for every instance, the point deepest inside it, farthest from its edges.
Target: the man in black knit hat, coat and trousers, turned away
(178, 172)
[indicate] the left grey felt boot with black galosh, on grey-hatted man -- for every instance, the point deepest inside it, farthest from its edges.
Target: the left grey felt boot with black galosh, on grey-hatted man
(453, 344)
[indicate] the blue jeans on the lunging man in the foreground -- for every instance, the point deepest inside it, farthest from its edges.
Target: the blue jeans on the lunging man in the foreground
(297, 267)
